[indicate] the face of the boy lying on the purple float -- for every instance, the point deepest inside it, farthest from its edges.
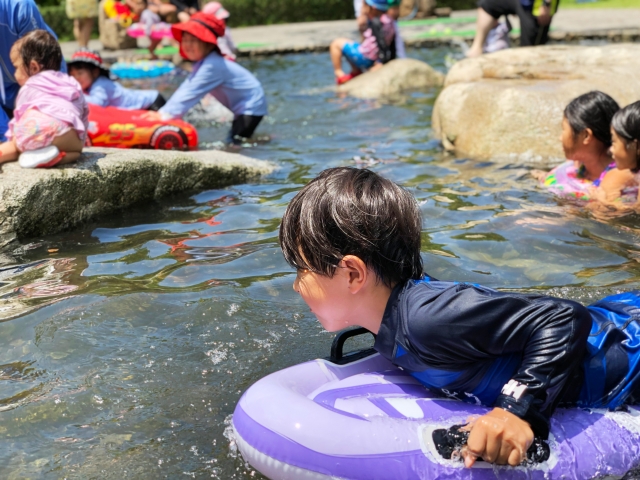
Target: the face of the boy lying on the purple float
(325, 296)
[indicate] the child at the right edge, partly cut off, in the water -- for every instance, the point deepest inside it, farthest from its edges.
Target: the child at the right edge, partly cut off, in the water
(619, 188)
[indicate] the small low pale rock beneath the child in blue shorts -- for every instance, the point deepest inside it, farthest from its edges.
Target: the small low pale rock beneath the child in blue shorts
(392, 79)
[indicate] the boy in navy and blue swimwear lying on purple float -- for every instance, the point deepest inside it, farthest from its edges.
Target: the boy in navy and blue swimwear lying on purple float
(354, 239)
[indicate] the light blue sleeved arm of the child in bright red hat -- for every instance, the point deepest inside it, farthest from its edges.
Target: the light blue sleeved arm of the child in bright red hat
(191, 91)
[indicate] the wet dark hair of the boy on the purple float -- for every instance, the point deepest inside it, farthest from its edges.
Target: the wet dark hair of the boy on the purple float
(350, 211)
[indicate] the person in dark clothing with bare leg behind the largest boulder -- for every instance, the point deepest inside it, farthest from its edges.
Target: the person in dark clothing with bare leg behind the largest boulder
(534, 15)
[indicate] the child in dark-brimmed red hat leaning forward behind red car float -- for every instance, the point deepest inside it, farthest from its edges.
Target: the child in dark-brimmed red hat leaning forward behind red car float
(87, 68)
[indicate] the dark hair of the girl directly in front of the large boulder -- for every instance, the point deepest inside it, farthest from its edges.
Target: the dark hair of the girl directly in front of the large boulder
(593, 110)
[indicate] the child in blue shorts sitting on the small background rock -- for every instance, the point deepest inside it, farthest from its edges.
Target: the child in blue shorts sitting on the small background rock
(376, 49)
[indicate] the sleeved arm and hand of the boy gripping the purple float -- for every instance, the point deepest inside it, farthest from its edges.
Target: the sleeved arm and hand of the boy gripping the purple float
(467, 324)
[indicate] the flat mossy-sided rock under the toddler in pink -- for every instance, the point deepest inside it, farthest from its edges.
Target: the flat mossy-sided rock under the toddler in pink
(46, 201)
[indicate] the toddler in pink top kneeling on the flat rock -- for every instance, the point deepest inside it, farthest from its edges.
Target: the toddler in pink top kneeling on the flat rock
(50, 120)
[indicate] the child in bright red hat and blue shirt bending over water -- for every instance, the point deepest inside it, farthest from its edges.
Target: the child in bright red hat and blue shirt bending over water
(231, 84)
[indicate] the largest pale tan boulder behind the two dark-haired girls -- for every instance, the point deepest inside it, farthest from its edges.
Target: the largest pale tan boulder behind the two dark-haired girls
(511, 102)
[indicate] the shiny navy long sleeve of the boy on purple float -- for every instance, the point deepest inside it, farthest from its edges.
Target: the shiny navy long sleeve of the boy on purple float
(455, 327)
